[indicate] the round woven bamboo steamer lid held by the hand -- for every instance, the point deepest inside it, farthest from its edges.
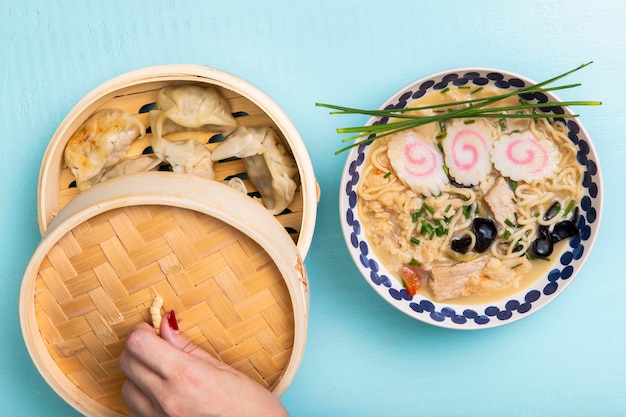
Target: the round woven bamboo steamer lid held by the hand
(224, 264)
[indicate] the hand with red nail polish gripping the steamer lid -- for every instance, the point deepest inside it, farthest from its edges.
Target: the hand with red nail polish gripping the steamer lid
(169, 376)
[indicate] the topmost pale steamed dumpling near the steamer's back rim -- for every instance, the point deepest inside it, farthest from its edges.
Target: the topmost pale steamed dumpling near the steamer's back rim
(191, 107)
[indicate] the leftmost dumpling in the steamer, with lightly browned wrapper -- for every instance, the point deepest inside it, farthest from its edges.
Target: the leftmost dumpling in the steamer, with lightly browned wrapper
(99, 143)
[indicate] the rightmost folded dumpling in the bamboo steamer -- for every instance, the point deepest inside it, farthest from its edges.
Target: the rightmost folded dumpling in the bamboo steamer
(268, 164)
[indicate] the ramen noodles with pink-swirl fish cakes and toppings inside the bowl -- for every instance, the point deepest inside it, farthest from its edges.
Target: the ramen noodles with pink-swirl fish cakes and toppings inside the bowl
(464, 208)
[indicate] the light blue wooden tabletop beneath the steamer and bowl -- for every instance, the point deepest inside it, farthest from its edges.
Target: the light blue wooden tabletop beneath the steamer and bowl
(363, 357)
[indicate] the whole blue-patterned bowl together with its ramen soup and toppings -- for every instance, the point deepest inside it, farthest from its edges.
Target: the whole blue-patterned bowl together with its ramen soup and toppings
(472, 222)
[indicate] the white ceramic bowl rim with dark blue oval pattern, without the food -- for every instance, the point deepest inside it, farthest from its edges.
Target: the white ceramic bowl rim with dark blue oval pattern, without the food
(527, 300)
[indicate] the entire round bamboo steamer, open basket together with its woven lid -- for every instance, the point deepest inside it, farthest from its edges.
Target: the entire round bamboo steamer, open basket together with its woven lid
(231, 271)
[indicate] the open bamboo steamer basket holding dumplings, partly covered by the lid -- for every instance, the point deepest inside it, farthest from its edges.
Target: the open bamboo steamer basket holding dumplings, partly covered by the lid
(135, 92)
